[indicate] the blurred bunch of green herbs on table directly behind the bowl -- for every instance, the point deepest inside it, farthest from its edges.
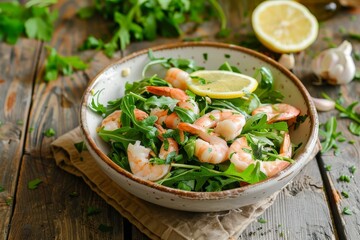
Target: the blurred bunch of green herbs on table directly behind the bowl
(146, 20)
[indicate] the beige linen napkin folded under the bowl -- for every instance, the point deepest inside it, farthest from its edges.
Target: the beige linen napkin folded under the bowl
(155, 221)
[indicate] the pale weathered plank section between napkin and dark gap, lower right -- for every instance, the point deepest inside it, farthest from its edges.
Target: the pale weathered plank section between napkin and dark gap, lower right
(299, 212)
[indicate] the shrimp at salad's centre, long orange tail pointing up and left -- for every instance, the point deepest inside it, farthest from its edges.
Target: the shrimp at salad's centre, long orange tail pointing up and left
(208, 148)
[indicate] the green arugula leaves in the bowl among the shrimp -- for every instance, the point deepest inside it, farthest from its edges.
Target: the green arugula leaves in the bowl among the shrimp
(187, 172)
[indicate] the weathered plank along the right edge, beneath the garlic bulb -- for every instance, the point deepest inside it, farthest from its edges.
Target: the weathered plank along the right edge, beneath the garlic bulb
(332, 31)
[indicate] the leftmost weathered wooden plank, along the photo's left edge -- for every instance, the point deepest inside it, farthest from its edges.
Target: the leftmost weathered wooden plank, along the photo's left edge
(17, 70)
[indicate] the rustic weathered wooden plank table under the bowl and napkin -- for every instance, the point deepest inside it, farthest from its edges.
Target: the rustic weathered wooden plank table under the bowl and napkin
(306, 209)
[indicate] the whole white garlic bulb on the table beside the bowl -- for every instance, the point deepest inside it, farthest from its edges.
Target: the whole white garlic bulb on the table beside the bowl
(335, 64)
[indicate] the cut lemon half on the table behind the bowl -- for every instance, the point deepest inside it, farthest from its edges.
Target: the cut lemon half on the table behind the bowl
(284, 26)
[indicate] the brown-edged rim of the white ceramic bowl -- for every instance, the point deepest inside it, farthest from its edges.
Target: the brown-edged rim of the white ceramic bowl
(312, 113)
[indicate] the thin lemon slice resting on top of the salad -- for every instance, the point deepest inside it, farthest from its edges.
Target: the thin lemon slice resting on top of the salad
(221, 84)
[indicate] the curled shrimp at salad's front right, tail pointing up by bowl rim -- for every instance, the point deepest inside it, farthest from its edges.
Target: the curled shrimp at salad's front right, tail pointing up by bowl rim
(242, 159)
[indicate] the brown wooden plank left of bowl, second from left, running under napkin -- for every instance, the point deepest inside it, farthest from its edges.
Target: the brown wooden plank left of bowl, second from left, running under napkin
(48, 212)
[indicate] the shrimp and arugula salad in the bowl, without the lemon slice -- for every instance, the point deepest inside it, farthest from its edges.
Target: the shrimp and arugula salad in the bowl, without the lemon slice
(162, 132)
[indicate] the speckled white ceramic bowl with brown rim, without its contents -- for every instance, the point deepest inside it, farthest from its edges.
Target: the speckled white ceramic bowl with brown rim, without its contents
(112, 82)
